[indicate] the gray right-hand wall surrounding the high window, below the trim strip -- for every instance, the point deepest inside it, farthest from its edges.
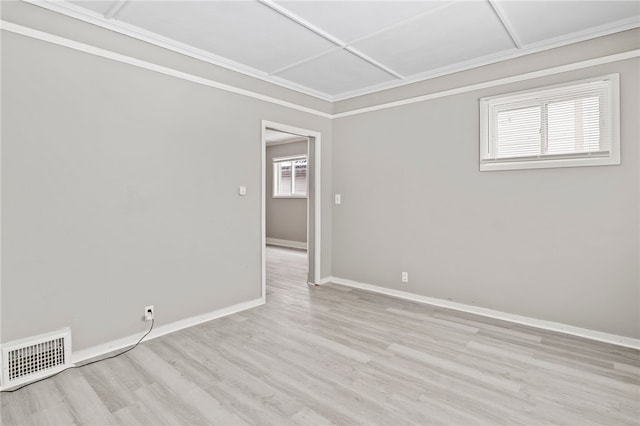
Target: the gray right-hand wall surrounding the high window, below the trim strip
(553, 244)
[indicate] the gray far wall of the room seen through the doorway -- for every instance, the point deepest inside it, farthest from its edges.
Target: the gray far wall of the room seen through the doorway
(286, 217)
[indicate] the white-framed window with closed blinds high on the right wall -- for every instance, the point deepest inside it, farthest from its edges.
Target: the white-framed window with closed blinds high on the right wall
(561, 126)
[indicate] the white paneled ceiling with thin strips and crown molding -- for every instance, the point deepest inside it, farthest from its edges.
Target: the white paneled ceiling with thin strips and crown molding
(339, 49)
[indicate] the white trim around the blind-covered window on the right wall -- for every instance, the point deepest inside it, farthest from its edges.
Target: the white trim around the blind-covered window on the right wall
(575, 160)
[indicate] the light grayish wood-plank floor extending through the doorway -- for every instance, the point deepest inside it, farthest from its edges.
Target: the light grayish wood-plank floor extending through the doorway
(332, 355)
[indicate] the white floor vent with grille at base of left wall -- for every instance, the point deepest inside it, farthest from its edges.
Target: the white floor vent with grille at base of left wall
(30, 359)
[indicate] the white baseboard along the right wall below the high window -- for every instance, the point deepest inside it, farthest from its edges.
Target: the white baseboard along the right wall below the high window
(518, 319)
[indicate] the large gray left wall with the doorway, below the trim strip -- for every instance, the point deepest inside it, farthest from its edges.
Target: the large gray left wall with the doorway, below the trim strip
(120, 189)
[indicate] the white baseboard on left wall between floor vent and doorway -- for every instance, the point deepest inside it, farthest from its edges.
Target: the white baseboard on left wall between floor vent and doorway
(124, 342)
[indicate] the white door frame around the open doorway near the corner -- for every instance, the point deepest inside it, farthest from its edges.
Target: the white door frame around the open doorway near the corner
(314, 139)
